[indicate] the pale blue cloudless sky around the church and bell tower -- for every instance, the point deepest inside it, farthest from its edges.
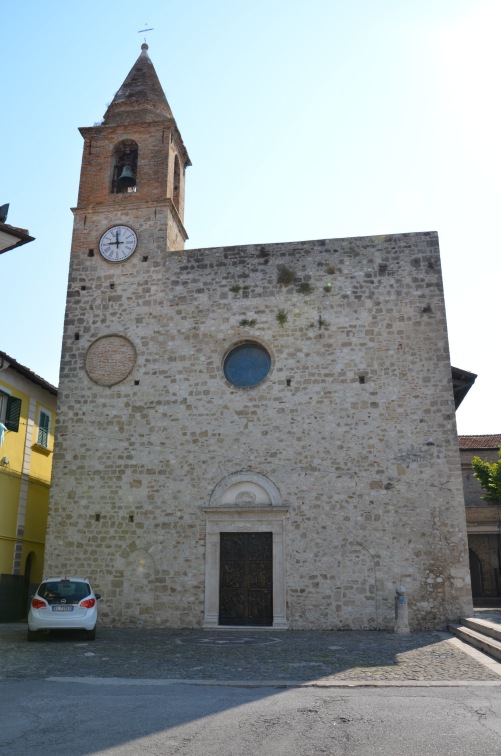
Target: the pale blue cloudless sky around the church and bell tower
(323, 119)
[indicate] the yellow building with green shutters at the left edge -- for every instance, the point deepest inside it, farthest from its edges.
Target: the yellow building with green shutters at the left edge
(27, 417)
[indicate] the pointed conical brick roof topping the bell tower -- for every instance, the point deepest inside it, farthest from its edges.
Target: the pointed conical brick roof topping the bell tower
(141, 97)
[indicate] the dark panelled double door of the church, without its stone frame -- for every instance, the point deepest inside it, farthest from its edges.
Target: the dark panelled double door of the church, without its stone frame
(246, 579)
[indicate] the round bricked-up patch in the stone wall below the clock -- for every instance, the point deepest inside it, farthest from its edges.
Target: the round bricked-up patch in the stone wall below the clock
(110, 359)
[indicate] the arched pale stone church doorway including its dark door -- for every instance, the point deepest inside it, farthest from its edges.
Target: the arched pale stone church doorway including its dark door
(245, 553)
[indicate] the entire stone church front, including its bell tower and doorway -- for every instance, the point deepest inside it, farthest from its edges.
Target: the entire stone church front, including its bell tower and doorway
(247, 436)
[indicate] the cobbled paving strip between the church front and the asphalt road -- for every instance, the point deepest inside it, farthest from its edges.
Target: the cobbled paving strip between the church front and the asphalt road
(224, 656)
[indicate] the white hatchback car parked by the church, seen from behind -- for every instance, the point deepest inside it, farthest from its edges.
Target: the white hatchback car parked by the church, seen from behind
(63, 603)
